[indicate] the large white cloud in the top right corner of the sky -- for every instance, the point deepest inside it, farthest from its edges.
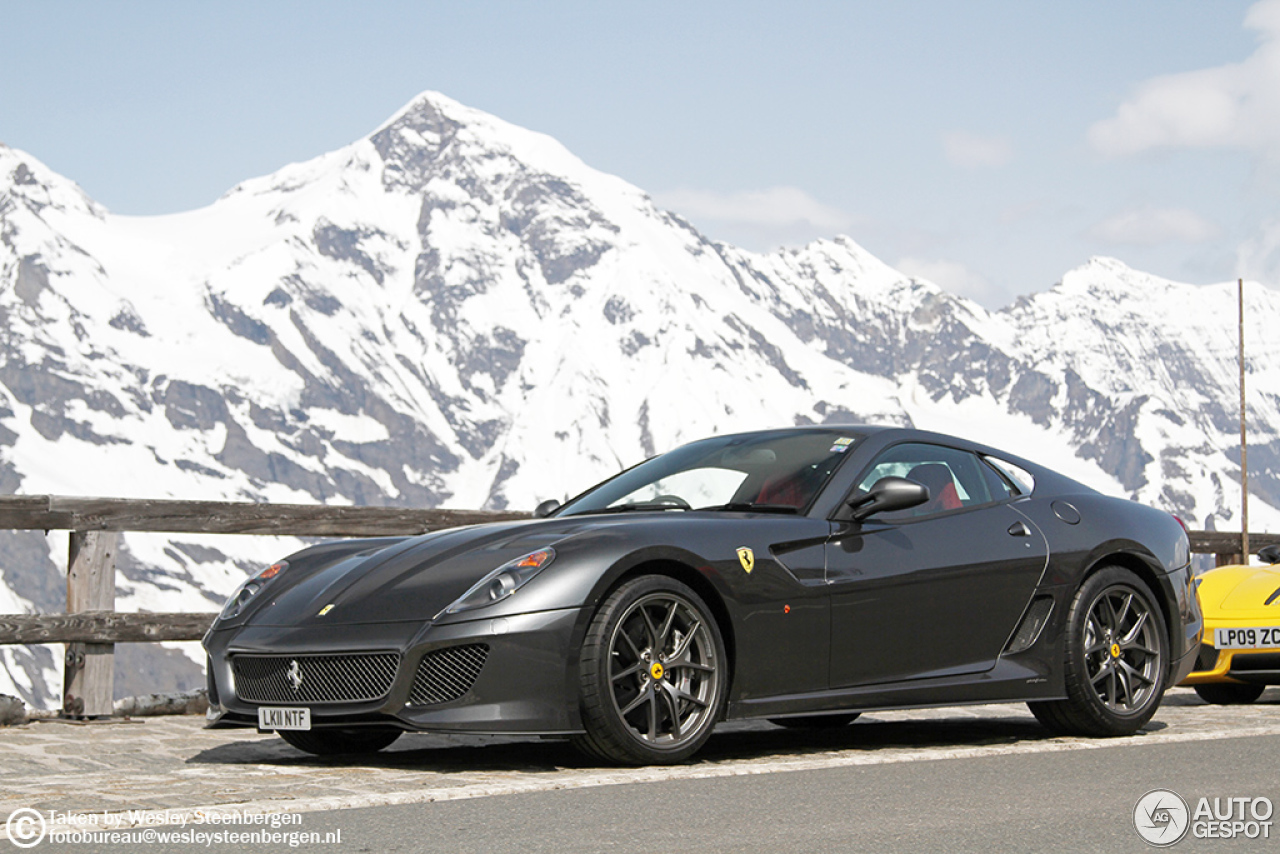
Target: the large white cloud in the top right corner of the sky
(1232, 107)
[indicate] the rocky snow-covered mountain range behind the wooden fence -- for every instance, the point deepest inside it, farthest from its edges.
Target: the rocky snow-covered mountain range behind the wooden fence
(456, 312)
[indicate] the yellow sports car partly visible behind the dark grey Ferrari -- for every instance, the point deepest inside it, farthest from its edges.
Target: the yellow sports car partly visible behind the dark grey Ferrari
(1241, 647)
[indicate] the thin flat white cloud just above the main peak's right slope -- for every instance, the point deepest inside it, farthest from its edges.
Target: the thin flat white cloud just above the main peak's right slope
(779, 207)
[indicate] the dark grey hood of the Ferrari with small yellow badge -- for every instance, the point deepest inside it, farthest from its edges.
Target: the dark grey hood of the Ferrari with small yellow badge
(410, 581)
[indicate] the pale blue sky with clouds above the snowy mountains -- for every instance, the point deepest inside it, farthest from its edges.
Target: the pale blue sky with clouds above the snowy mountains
(989, 145)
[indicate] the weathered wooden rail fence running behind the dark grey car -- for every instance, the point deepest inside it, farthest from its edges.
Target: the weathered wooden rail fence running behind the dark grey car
(92, 627)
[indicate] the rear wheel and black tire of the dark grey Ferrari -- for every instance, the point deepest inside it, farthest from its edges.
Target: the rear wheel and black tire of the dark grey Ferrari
(1117, 661)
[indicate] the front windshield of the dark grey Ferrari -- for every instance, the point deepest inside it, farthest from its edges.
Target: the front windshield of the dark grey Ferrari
(779, 472)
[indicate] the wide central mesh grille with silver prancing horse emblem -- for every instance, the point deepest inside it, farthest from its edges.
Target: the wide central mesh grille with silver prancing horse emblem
(314, 679)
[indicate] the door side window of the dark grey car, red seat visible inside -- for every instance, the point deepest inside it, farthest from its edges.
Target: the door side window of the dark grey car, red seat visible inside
(956, 479)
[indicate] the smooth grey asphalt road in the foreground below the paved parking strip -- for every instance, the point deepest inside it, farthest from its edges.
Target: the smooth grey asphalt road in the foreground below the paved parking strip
(1078, 801)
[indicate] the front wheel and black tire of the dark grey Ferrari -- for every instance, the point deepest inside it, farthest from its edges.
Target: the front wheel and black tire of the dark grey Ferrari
(653, 678)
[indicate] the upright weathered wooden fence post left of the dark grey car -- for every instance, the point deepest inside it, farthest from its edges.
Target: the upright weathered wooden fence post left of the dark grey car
(90, 669)
